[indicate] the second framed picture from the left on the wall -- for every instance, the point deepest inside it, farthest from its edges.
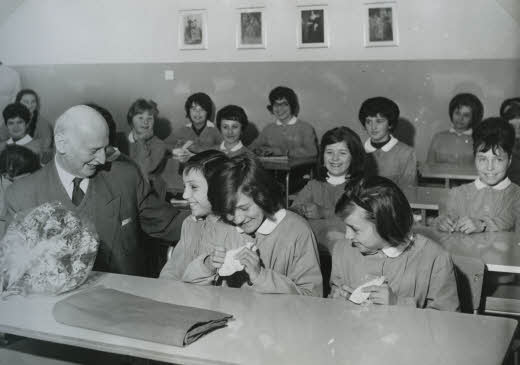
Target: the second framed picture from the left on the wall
(251, 30)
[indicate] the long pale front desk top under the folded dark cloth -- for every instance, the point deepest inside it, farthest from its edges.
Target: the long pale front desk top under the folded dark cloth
(280, 329)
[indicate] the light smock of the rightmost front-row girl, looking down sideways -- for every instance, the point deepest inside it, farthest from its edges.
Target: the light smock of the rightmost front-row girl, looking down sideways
(420, 274)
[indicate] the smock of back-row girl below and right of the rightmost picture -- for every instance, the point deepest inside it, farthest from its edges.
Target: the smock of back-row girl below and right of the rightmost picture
(452, 147)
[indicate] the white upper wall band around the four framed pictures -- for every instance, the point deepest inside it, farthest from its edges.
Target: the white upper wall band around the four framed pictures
(136, 31)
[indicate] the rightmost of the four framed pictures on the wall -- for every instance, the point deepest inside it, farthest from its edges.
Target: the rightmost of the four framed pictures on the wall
(381, 24)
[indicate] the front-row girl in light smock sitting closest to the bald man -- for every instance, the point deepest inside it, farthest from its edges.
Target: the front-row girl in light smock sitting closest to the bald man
(199, 230)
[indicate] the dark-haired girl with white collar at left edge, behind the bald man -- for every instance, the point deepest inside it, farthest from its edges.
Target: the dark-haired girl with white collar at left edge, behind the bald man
(17, 118)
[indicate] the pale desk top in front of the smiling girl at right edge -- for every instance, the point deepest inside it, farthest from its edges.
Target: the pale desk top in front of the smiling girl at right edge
(500, 251)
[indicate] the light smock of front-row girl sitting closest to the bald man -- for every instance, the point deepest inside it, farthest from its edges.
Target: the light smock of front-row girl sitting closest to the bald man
(197, 237)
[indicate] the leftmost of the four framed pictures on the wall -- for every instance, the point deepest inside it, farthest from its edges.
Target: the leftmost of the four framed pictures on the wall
(193, 29)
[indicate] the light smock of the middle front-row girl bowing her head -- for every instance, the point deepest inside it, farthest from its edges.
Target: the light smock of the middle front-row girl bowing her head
(288, 254)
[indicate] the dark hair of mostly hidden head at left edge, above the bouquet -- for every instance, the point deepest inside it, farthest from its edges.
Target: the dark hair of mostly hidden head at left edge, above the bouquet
(17, 160)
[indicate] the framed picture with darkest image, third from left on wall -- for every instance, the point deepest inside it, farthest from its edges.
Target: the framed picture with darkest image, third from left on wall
(312, 30)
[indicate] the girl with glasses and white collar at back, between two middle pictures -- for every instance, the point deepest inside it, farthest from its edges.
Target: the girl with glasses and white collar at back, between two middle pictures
(288, 135)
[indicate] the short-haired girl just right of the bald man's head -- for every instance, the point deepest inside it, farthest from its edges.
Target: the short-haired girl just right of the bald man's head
(143, 146)
